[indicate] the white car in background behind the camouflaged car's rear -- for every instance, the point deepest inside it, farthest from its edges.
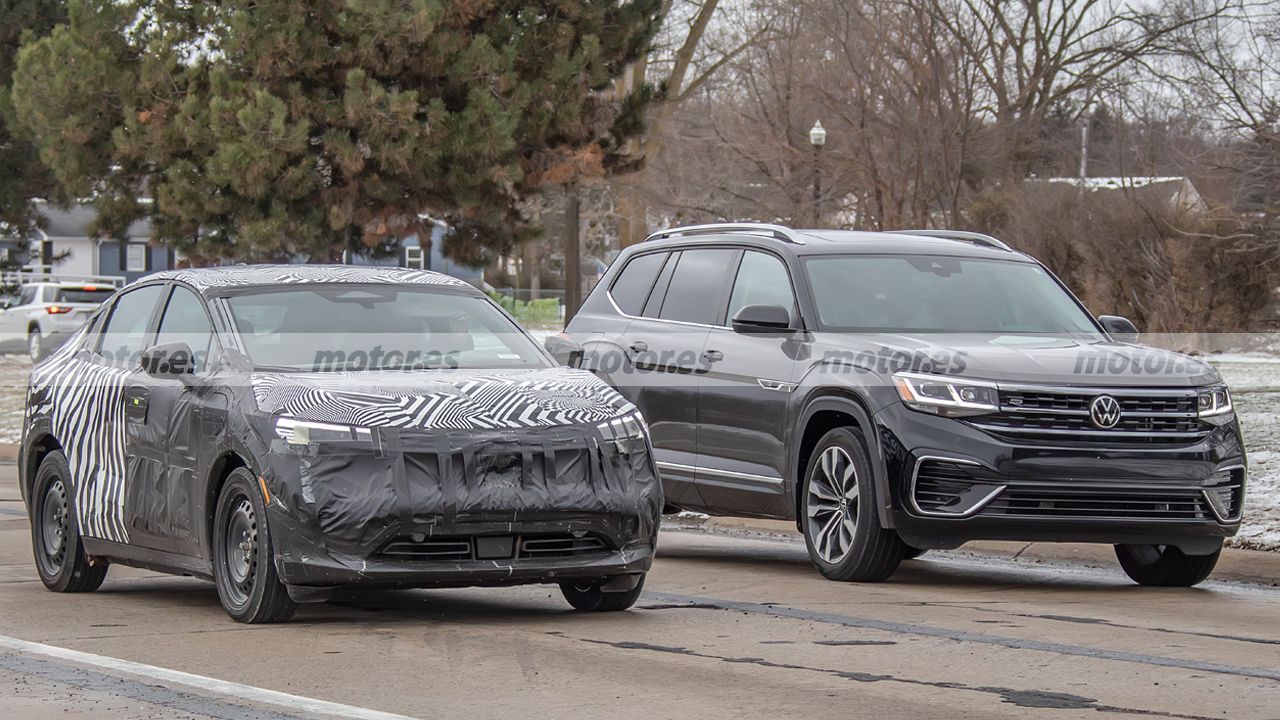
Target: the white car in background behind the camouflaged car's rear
(45, 313)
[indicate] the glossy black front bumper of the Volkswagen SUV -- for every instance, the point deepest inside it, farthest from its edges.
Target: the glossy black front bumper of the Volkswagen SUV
(1060, 493)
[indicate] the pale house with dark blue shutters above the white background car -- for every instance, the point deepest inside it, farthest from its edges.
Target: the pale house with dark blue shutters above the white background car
(66, 245)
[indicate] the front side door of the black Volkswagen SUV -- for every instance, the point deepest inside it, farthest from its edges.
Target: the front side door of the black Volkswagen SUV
(743, 398)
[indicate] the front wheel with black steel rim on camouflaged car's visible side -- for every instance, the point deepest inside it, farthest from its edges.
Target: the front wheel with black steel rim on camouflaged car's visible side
(249, 585)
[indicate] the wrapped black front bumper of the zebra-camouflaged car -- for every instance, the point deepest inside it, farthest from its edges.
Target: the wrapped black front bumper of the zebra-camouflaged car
(455, 509)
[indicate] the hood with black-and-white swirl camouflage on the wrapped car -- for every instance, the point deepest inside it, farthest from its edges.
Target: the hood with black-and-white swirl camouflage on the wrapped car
(442, 399)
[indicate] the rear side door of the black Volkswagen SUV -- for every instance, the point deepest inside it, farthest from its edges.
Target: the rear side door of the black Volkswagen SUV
(665, 352)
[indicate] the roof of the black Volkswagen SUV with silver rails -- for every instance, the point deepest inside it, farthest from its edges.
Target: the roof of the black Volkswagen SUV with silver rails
(845, 243)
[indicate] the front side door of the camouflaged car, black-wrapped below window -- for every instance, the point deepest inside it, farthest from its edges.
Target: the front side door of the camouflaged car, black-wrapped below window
(170, 429)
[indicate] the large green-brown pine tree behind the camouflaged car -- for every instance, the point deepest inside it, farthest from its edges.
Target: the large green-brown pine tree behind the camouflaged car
(281, 129)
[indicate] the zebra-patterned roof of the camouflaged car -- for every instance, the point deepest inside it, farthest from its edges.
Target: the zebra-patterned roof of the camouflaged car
(248, 276)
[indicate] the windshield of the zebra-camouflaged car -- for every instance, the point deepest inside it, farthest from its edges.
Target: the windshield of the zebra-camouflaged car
(349, 327)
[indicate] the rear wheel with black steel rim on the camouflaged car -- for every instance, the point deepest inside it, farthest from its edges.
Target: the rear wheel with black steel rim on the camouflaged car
(56, 539)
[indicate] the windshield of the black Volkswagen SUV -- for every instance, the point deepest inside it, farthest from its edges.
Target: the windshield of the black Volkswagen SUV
(940, 294)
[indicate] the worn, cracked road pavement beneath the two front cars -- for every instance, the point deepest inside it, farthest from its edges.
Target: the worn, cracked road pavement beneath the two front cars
(729, 628)
